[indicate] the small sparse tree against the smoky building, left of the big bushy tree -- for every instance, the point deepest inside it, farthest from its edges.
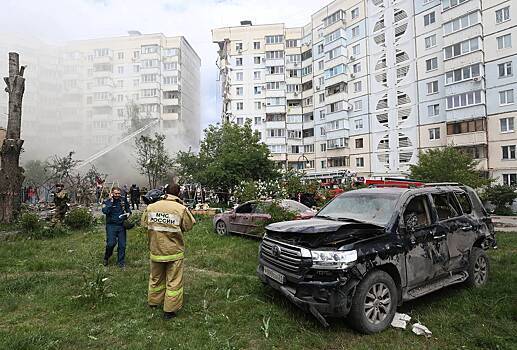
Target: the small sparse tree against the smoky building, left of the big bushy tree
(152, 158)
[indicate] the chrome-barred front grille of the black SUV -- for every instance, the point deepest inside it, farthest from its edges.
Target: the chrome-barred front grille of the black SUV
(284, 256)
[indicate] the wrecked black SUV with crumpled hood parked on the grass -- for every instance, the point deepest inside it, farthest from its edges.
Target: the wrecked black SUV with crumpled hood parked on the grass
(369, 250)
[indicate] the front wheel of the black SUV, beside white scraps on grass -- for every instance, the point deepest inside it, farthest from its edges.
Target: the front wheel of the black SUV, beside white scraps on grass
(374, 303)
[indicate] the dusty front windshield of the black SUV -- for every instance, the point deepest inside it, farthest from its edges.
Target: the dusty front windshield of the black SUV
(373, 207)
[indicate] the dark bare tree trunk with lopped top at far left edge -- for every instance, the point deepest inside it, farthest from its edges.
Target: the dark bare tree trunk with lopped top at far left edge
(11, 174)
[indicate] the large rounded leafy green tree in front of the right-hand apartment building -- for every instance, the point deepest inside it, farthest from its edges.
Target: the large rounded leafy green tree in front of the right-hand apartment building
(229, 155)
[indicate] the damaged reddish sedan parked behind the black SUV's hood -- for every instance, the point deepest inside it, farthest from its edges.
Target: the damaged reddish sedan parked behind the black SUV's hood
(247, 217)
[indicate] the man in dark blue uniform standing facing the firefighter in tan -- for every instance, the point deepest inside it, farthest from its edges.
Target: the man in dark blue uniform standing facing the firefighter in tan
(116, 209)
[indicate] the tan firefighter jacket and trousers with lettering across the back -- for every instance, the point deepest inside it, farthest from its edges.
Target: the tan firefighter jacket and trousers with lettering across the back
(166, 221)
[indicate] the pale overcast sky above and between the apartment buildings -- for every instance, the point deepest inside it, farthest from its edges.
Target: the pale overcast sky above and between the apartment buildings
(54, 21)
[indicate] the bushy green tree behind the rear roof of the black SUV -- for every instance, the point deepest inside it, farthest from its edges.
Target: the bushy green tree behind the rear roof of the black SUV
(448, 164)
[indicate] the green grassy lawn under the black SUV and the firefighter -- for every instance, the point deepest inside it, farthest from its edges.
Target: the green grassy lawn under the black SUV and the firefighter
(226, 305)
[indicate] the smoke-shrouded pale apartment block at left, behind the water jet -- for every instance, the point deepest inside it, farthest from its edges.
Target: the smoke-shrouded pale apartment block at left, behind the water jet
(86, 95)
